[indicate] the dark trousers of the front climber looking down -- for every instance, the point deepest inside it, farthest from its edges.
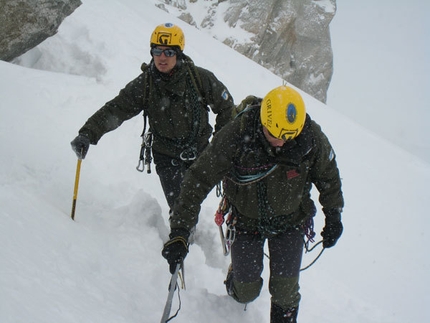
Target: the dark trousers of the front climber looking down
(285, 252)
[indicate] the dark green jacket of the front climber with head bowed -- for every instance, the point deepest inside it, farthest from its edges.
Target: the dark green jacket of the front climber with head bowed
(268, 187)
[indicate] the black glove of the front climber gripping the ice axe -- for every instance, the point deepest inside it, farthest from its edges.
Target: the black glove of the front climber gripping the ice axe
(176, 249)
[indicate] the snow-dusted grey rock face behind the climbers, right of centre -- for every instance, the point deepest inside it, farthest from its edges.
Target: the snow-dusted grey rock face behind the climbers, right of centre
(289, 37)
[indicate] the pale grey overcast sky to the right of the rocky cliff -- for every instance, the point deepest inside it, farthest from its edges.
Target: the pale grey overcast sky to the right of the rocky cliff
(382, 69)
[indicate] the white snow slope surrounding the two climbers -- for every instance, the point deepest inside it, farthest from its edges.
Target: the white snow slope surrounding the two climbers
(106, 266)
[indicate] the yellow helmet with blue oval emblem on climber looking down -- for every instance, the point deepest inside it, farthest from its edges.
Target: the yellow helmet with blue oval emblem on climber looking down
(283, 112)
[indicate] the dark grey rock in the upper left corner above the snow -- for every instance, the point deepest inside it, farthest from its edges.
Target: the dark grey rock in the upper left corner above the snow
(26, 23)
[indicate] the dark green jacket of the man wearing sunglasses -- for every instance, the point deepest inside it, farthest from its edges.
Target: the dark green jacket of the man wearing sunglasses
(176, 106)
